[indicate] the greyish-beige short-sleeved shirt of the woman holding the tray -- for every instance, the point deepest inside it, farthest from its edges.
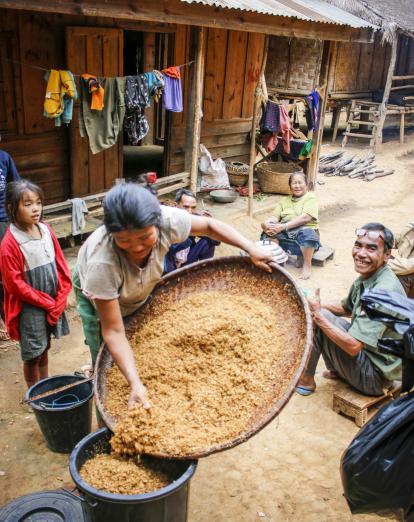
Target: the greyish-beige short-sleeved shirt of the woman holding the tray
(105, 272)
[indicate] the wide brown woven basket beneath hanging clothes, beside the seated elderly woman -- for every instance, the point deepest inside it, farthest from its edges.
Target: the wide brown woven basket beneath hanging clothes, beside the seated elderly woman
(274, 176)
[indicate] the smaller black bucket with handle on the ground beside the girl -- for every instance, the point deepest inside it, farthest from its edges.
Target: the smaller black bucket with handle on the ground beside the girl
(66, 416)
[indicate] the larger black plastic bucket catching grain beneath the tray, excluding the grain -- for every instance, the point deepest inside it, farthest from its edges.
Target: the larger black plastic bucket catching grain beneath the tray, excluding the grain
(168, 504)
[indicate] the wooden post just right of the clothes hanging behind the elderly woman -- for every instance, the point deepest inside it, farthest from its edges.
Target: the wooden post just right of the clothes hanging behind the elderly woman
(325, 79)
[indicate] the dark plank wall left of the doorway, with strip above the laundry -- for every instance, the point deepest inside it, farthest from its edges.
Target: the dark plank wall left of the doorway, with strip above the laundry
(40, 150)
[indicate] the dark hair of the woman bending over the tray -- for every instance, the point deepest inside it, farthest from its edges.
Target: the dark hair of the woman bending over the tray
(130, 206)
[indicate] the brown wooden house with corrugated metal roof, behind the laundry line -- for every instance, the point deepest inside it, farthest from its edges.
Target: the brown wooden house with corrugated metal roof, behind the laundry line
(226, 47)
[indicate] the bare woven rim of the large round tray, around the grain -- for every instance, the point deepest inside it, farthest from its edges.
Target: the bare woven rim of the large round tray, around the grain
(220, 274)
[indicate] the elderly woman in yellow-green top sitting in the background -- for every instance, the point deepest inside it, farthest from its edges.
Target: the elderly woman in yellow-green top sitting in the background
(295, 222)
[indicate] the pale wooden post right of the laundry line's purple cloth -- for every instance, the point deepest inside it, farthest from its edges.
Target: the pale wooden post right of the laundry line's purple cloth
(194, 125)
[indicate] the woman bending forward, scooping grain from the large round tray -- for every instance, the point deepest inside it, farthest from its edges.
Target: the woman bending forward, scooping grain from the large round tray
(121, 262)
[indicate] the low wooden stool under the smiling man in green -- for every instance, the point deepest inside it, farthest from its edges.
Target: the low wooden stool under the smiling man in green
(348, 401)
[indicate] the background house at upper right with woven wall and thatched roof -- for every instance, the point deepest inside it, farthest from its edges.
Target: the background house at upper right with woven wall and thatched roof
(361, 71)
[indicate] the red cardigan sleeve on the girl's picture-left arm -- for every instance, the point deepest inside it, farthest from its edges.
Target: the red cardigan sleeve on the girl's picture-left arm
(12, 273)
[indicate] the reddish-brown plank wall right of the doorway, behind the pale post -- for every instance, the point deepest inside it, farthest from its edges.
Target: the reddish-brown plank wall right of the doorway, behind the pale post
(233, 61)
